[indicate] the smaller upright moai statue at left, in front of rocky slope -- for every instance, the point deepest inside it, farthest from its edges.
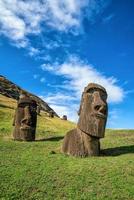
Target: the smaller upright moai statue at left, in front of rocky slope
(25, 119)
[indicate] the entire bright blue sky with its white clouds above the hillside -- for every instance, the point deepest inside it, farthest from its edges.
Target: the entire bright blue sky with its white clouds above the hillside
(55, 48)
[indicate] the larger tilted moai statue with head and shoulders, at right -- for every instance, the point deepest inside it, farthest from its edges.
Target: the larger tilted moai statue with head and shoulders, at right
(84, 140)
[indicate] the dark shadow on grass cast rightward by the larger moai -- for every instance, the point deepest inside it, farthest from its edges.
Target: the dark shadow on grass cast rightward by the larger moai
(116, 151)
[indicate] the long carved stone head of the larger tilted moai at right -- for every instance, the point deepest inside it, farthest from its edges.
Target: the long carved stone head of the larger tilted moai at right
(93, 110)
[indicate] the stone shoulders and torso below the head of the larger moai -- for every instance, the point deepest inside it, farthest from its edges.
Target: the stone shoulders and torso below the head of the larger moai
(78, 143)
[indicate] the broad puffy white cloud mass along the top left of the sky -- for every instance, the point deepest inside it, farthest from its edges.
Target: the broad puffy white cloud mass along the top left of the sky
(19, 19)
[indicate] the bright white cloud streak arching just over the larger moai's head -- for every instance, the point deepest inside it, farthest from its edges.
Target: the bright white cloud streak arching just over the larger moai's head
(79, 74)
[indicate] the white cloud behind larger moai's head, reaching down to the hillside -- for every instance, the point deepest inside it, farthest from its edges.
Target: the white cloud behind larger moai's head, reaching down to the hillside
(77, 74)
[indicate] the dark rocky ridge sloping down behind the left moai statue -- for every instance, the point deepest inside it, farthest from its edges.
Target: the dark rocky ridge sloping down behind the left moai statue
(10, 89)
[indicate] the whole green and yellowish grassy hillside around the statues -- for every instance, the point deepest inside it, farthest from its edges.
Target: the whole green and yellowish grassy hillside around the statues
(38, 170)
